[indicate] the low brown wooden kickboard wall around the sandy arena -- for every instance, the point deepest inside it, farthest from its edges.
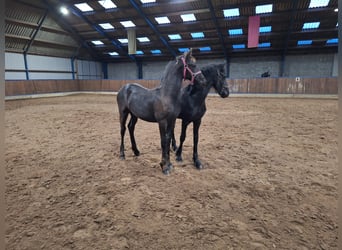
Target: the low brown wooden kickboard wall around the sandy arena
(256, 85)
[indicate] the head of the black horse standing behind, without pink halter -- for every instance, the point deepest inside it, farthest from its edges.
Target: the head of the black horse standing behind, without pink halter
(217, 75)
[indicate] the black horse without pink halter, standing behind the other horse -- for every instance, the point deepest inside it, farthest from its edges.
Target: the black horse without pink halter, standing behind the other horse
(194, 108)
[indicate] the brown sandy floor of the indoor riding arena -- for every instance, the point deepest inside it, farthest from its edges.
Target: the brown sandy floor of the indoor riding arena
(269, 179)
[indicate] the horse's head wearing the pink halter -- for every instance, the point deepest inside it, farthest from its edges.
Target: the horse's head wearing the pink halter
(190, 70)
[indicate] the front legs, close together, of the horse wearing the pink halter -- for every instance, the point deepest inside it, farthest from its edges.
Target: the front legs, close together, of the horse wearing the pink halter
(165, 139)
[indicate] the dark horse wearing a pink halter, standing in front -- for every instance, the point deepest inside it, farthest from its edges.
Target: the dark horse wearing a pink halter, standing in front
(161, 104)
